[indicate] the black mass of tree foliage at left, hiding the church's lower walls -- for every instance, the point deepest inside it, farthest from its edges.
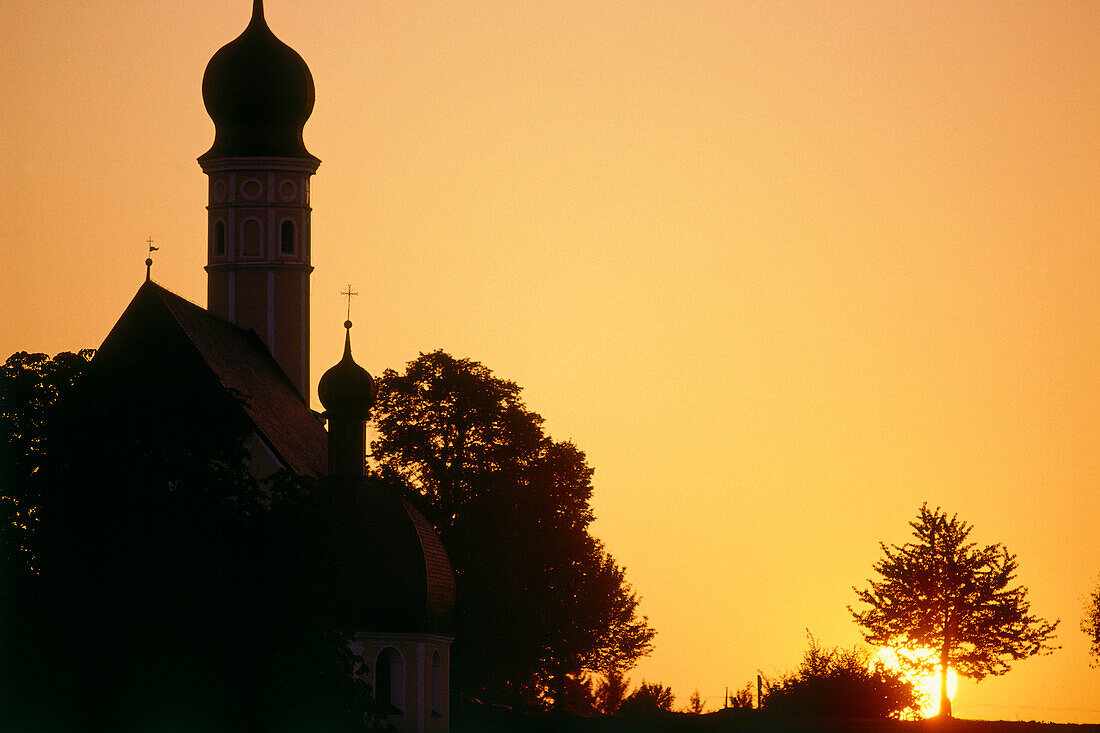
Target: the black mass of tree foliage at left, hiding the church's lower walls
(170, 588)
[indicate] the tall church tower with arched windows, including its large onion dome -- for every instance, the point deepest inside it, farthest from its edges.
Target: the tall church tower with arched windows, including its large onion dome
(260, 93)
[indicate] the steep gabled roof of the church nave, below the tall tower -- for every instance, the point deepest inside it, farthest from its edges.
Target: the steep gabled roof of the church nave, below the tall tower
(160, 321)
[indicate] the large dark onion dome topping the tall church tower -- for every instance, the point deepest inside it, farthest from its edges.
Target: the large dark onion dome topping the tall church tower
(259, 93)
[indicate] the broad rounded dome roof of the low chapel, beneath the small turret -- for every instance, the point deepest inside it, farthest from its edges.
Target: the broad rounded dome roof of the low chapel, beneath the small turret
(394, 574)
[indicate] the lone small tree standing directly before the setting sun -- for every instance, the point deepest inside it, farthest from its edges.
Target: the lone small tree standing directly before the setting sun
(949, 595)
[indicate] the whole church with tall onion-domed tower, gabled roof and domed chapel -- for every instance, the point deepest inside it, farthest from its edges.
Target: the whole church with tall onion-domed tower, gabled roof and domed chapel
(172, 374)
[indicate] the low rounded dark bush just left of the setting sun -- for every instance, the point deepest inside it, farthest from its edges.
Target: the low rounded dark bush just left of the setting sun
(841, 684)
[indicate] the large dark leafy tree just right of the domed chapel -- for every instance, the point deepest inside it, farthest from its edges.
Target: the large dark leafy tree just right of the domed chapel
(540, 599)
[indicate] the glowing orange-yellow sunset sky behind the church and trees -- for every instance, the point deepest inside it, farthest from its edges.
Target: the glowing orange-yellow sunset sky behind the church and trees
(784, 271)
